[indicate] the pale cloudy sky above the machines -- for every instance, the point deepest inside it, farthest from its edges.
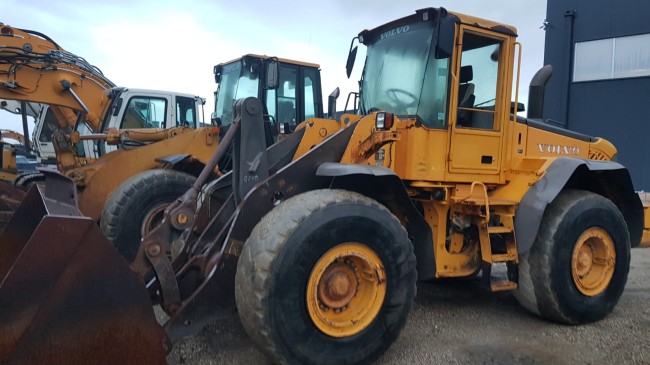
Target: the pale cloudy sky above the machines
(173, 44)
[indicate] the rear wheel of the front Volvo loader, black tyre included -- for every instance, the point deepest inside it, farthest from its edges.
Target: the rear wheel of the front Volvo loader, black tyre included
(550, 274)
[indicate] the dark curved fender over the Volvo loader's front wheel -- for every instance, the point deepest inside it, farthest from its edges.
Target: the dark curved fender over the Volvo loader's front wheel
(383, 185)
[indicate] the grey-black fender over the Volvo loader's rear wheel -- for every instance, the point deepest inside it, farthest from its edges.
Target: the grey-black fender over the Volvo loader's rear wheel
(609, 179)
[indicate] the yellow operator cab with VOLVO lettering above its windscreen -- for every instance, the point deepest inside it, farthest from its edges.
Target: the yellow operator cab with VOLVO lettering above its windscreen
(452, 74)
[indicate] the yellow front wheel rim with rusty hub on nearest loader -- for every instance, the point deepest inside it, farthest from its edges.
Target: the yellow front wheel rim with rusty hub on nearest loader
(346, 289)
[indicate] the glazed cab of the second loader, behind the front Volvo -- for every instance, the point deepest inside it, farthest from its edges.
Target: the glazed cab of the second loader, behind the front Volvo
(290, 90)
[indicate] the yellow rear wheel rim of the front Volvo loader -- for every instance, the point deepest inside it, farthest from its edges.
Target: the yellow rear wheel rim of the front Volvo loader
(592, 264)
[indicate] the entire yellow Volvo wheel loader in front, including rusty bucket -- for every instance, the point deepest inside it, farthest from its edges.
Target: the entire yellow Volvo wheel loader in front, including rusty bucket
(319, 239)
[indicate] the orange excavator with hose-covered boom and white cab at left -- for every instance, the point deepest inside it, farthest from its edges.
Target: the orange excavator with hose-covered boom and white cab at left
(78, 96)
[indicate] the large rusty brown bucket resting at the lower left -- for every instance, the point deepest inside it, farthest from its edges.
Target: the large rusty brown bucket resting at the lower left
(66, 295)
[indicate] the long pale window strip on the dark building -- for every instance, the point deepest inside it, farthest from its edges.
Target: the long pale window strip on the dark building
(612, 58)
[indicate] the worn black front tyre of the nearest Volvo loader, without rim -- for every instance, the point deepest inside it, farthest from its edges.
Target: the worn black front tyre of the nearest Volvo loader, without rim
(276, 266)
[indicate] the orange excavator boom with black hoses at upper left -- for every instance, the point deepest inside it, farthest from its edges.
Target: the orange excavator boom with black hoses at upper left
(35, 68)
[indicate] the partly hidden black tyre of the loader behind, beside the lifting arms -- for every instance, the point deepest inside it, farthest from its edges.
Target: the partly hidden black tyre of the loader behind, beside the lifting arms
(141, 198)
